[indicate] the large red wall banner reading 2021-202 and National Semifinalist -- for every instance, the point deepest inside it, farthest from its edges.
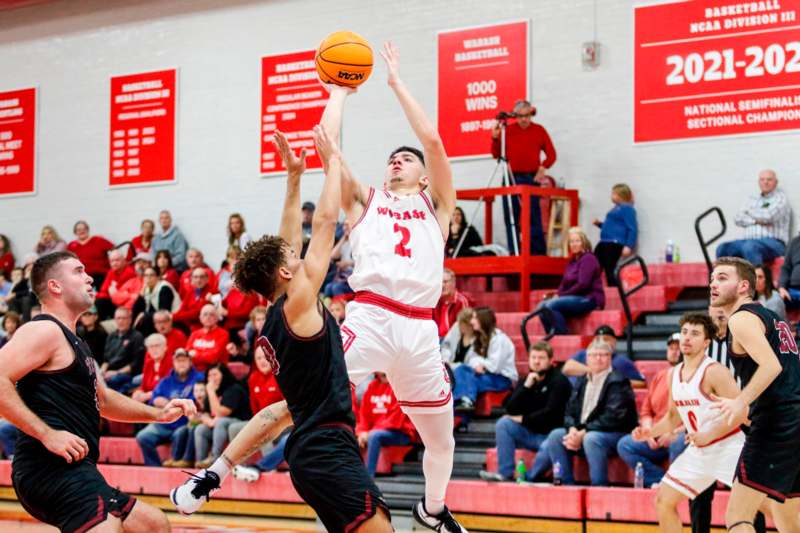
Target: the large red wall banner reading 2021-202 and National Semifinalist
(707, 68)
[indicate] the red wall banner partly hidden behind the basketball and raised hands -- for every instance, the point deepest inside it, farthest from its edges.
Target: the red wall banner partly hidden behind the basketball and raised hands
(292, 101)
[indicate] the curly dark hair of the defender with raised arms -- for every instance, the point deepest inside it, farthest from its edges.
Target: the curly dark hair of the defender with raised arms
(257, 268)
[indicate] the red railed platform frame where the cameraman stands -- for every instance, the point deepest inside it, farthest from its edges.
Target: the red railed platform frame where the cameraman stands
(523, 265)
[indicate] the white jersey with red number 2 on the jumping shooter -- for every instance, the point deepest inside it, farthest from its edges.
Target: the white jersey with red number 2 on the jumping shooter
(398, 249)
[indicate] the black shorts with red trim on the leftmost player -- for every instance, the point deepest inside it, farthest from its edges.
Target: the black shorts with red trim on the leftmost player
(72, 497)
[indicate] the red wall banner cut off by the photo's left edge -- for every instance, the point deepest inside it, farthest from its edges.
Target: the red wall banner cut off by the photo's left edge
(18, 141)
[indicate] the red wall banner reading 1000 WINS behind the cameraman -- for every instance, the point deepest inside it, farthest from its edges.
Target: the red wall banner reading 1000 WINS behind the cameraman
(482, 71)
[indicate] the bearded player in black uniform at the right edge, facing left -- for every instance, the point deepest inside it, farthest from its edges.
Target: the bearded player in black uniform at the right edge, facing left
(766, 359)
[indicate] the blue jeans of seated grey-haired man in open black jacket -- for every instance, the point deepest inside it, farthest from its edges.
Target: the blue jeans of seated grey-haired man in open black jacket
(597, 446)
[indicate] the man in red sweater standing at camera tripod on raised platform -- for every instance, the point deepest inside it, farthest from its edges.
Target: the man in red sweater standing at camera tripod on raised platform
(525, 142)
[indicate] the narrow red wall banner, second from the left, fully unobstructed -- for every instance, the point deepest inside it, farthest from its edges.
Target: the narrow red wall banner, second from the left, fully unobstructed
(142, 145)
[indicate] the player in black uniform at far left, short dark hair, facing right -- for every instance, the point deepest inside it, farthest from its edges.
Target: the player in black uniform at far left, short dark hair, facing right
(57, 404)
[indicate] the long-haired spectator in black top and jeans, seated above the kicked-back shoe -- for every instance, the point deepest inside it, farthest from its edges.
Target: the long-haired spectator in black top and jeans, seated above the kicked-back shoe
(227, 404)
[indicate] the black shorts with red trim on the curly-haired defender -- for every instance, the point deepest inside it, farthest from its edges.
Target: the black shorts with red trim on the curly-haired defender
(328, 473)
